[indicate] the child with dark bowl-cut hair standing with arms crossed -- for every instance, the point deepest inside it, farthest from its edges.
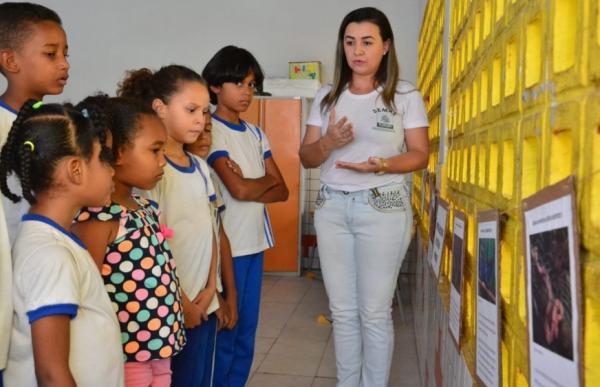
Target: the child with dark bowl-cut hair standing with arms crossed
(232, 75)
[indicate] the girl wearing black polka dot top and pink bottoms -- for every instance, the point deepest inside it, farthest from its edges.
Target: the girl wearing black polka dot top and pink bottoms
(130, 246)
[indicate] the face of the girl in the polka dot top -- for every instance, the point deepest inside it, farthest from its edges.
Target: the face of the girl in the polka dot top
(140, 164)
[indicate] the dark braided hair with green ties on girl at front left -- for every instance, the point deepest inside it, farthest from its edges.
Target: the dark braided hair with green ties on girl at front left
(39, 138)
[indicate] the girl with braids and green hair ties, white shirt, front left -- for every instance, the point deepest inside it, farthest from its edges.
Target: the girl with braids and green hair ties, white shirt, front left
(64, 326)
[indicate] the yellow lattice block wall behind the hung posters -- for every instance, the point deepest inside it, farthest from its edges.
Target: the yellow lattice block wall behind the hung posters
(523, 112)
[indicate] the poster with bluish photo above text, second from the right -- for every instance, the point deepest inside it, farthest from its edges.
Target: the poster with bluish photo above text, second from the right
(487, 355)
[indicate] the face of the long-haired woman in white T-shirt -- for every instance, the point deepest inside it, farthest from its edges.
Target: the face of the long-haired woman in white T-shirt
(364, 47)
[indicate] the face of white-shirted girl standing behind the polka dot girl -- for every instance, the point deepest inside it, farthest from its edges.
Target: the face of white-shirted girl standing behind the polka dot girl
(185, 114)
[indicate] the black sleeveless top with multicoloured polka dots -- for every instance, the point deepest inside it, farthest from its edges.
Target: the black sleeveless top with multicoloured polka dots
(140, 278)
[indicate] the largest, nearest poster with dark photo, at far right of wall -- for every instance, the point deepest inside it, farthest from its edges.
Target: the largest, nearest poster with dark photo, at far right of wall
(553, 286)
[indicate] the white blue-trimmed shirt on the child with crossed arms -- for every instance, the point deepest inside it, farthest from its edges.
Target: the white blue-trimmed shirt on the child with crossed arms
(246, 223)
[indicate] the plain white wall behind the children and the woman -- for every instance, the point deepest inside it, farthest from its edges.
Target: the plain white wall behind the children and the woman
(108, 37)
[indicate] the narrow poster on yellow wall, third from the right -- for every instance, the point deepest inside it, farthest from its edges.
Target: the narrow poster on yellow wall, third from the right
(458, 254)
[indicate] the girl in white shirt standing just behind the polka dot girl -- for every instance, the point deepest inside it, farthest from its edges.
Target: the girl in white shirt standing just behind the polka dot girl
(179, 96)
